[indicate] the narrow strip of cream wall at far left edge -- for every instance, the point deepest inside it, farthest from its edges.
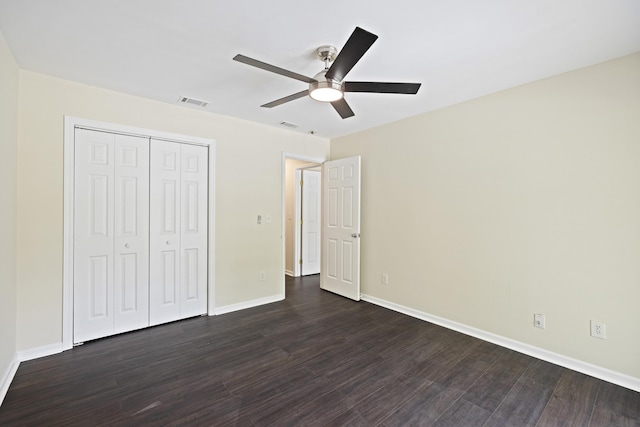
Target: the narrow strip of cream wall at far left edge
(8, 175)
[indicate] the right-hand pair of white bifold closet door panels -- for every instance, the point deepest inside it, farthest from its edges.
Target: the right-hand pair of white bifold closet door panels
(178, 231)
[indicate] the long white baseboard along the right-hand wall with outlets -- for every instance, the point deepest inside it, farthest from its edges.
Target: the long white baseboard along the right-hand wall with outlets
(614, 377)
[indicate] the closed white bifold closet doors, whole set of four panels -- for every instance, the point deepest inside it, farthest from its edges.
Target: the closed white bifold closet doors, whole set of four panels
(140, 232)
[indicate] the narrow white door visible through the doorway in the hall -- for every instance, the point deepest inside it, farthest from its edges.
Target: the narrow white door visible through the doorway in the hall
(311, 222)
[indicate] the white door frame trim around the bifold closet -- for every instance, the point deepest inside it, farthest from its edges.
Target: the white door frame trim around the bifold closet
(70, 123)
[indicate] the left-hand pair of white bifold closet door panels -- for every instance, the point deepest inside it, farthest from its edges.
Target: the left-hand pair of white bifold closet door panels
(111, 235)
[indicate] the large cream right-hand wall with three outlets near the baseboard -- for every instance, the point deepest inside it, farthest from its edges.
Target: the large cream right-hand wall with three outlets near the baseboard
(525, 201)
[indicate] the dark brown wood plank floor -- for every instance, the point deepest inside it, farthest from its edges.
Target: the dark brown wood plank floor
(314, 359)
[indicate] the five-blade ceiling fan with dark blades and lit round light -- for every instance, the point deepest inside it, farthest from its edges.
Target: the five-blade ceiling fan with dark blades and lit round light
(328, 84)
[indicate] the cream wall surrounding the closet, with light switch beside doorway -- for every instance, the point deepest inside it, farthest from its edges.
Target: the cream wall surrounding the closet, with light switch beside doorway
(248, 183)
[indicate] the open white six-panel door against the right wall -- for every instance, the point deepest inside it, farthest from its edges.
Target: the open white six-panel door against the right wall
(341, 227)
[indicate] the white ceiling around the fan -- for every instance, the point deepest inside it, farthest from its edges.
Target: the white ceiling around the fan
(457, 49)
